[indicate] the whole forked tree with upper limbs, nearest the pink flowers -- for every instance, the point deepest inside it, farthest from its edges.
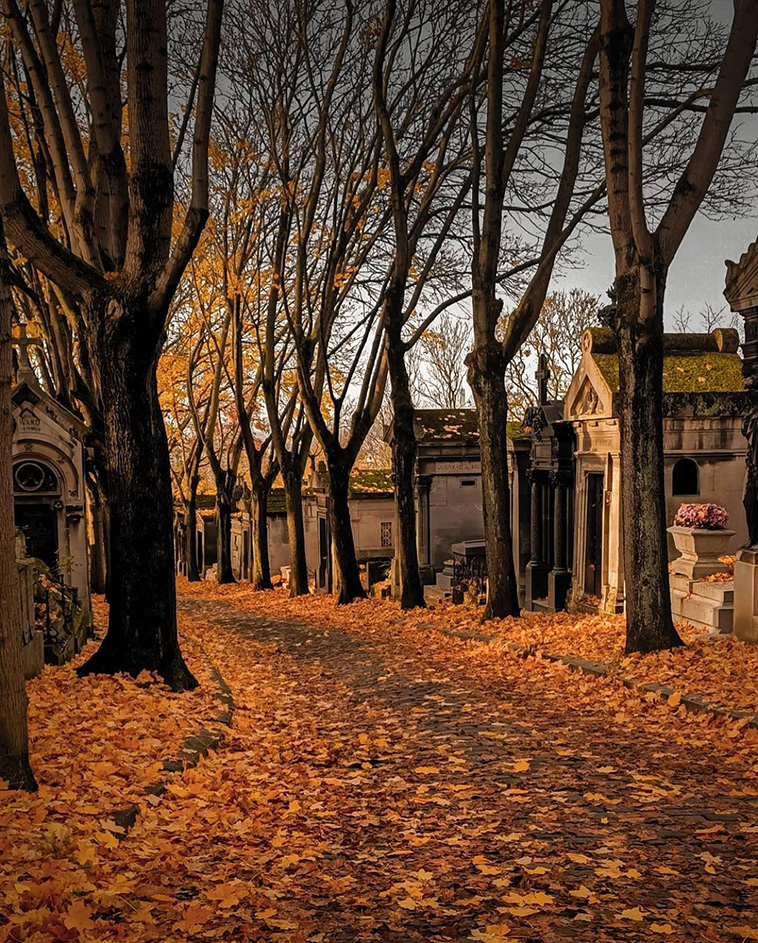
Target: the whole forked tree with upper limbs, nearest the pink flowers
(643, 258)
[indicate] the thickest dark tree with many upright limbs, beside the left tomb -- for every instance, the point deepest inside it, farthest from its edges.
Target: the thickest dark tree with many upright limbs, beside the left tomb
(124, 279)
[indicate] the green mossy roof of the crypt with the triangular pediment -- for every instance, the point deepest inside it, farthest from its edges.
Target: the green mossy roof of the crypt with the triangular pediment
(711, 372)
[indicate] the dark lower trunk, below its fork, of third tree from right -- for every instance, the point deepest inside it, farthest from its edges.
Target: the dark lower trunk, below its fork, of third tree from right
(404, 448)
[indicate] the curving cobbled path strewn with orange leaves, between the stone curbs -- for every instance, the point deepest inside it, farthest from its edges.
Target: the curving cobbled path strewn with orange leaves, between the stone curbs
(400, 786)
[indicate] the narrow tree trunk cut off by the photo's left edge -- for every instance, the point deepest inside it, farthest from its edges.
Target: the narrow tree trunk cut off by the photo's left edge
(14, 749)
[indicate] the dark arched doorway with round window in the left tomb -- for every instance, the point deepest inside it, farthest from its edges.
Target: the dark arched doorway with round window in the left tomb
(37, 504)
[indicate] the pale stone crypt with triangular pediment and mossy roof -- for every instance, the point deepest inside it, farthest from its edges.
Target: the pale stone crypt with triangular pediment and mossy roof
(704, 448)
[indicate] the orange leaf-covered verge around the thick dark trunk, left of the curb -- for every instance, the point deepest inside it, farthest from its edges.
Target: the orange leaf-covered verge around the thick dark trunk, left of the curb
(96, 744)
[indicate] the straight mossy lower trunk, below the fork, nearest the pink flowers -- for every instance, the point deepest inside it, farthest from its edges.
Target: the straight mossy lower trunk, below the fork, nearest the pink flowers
(647, 590)
